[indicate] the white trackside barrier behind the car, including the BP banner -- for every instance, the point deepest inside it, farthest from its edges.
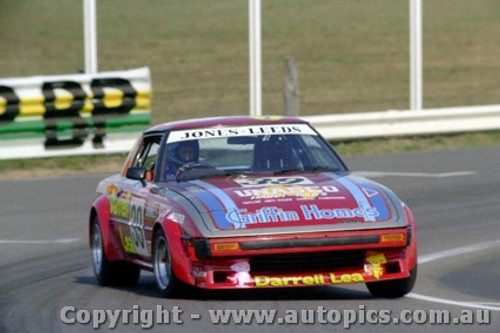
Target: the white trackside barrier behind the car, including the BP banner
(82, 114)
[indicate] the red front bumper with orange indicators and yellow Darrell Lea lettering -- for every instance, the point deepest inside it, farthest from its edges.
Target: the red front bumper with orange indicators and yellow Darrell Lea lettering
(305, 260)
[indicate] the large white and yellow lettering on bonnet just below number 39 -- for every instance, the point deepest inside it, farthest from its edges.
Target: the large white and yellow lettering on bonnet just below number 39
(274, 192)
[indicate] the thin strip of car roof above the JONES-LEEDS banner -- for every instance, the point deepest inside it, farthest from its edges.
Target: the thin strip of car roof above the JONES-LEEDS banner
(224, 121)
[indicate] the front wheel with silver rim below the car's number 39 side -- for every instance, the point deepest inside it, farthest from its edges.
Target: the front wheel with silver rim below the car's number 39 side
(167, 283)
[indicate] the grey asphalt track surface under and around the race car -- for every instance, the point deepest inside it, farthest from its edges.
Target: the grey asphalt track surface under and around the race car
(454, 195)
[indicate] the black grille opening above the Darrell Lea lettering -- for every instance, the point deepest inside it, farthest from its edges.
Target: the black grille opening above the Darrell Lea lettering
(307, 261)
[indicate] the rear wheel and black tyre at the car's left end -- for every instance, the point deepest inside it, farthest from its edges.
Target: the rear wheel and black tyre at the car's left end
(110, 272)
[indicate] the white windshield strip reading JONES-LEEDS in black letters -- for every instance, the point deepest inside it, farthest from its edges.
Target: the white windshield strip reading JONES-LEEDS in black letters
(225, 132)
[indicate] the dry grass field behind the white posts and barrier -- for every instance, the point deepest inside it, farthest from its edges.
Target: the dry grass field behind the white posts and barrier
(352, 56)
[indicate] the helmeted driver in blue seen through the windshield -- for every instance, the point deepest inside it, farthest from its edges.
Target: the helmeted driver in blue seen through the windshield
(181, 154)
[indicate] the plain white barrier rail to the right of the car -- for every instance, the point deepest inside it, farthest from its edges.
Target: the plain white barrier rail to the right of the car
(400, 123)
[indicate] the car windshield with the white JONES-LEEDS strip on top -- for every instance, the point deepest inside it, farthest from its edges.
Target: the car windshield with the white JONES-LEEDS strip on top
(255, 149)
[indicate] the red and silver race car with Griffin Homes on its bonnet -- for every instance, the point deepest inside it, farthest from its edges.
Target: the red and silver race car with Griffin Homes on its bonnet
(248, 202)
